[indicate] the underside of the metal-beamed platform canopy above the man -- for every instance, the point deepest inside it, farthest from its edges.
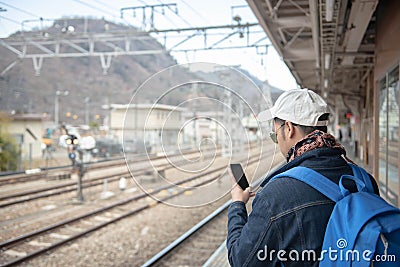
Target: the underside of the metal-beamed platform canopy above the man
(328, 45)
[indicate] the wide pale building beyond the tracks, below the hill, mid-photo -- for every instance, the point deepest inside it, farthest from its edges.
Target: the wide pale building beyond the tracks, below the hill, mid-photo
(156, 124)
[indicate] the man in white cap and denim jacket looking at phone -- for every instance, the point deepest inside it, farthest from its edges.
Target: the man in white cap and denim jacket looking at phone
(288, 220)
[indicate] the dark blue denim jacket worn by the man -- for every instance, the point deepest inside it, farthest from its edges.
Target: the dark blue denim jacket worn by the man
(288, 219)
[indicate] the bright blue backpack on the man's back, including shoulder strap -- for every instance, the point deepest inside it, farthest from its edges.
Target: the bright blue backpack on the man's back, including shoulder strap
(363, 230)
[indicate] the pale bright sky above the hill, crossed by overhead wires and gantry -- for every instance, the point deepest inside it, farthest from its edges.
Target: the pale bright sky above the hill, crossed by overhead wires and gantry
(25, 14)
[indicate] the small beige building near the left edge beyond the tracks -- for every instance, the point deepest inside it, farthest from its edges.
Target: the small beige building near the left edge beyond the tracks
(27, 129)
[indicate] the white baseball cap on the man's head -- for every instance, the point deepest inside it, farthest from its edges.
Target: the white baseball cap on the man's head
(300, 106)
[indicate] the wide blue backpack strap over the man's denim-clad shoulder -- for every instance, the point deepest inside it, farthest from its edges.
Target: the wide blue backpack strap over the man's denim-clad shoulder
(314, 179)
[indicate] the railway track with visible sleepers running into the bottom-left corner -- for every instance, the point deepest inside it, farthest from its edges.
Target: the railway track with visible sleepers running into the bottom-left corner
(32, 244)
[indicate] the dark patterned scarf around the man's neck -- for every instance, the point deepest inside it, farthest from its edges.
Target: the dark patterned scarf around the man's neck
(316, 139)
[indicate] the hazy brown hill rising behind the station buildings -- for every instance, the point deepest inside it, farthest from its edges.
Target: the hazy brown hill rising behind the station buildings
(21, 91)
